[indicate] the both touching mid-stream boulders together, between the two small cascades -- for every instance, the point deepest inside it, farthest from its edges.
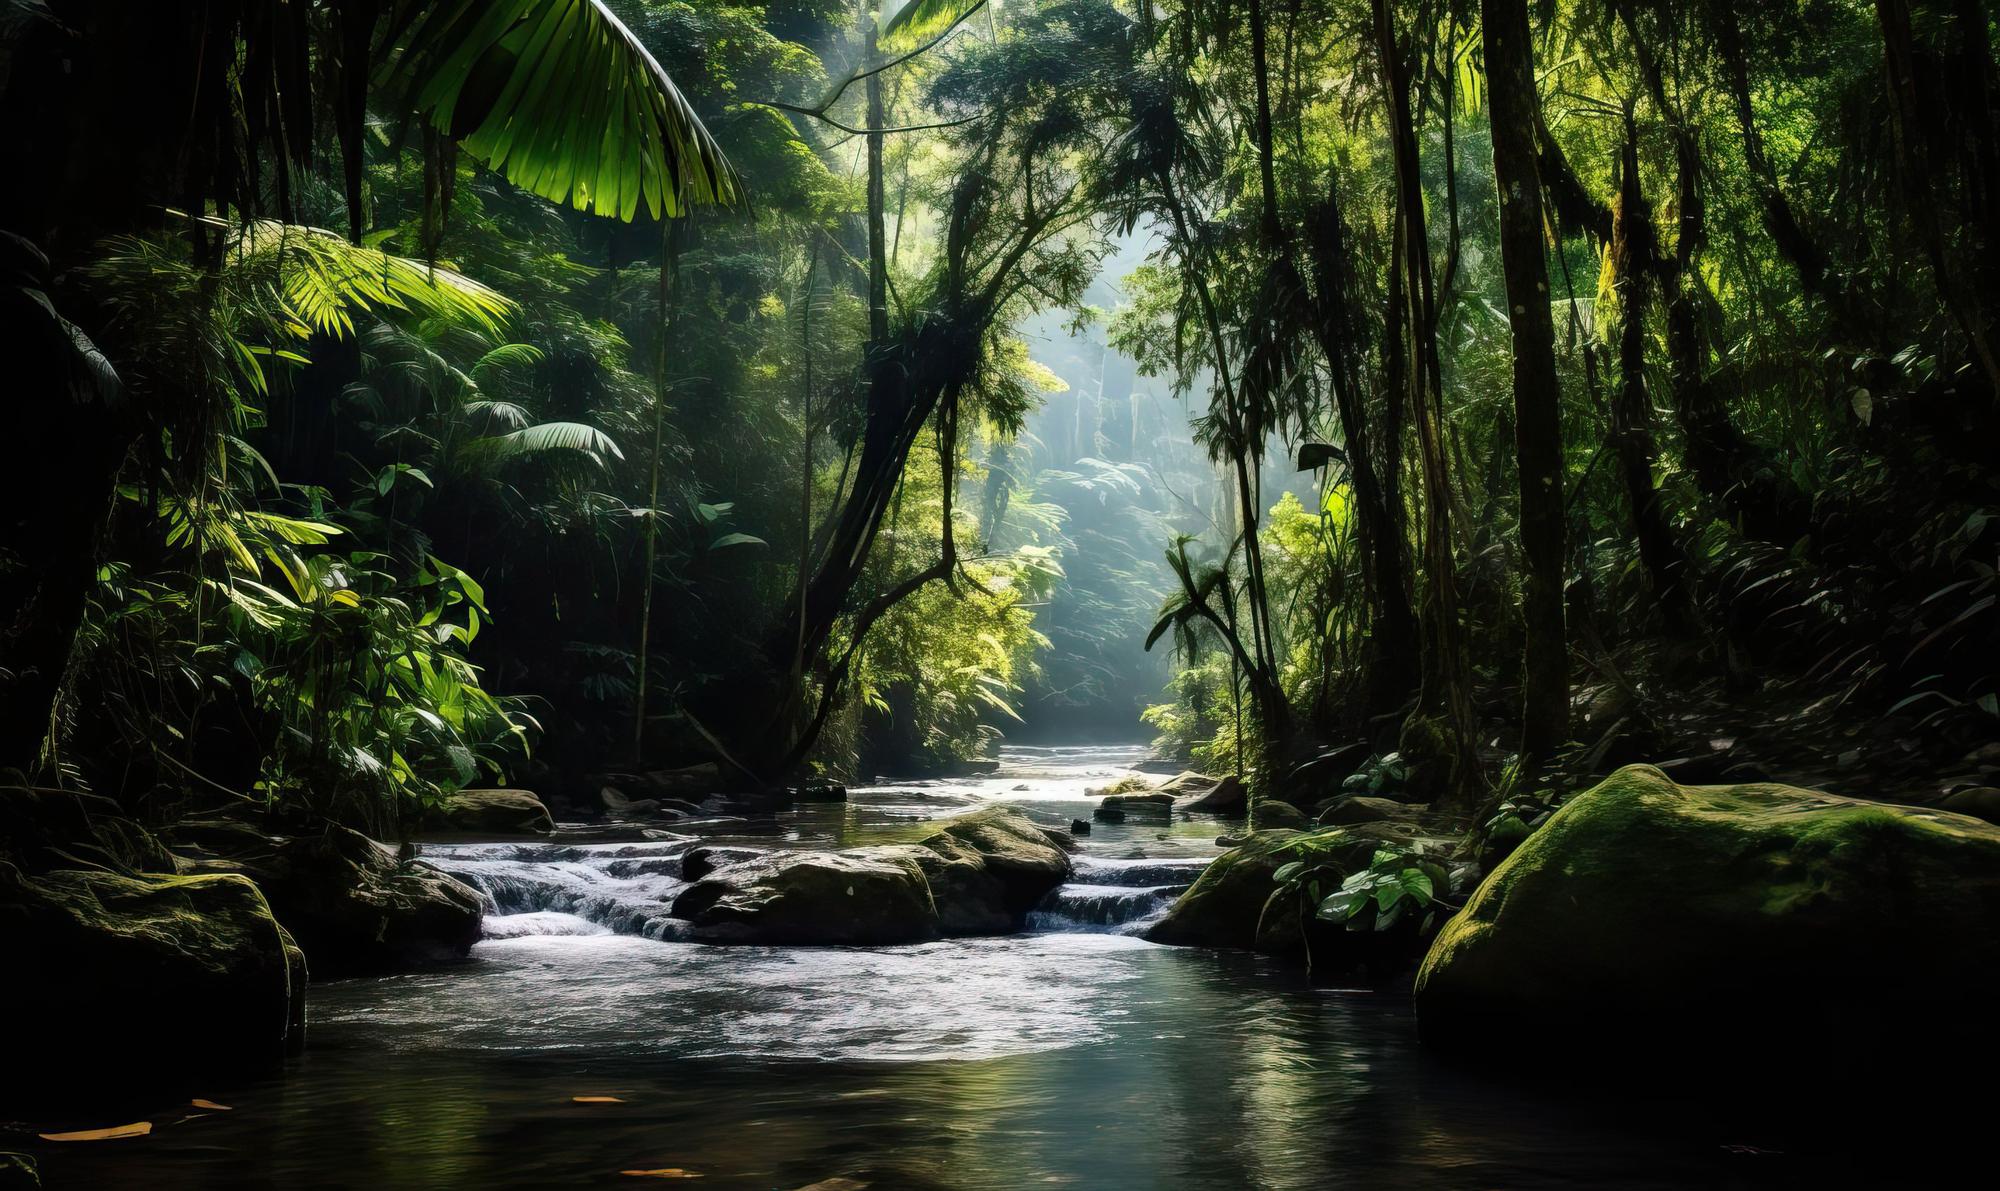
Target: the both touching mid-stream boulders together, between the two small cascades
(977, 874)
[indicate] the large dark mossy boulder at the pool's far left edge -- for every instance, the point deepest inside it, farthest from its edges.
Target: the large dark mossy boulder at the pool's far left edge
(127, 982)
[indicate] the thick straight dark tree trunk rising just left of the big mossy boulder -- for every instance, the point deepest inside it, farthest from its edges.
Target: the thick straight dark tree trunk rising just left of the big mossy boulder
(1537, 389)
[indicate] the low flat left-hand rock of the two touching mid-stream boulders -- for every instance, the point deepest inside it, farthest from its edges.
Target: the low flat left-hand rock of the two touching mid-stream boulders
(791, 898)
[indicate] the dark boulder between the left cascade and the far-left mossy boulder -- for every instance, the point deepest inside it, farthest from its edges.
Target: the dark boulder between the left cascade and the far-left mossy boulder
(355, 904)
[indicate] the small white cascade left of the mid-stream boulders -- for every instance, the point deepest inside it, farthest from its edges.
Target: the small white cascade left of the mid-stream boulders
(571, 890)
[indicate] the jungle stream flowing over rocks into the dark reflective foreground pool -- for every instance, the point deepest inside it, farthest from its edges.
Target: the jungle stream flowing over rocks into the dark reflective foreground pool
(1069, 1056)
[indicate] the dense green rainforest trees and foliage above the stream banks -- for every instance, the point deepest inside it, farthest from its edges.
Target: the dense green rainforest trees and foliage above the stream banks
(813, 427)
